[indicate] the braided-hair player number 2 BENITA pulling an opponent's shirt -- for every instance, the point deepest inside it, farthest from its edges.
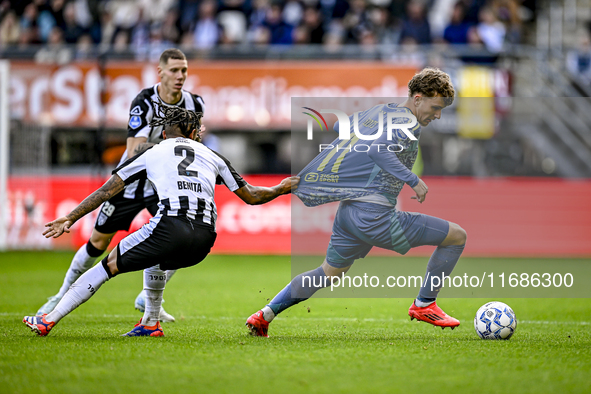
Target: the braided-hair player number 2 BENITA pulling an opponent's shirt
(181, 233)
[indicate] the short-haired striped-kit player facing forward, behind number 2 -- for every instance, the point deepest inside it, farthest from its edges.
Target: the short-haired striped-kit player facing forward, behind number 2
(118, 213)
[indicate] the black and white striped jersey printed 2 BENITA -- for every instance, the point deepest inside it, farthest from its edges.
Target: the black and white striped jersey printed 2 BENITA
(184, 174)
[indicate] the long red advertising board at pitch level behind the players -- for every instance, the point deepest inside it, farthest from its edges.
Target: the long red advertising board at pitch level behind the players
(502, 216)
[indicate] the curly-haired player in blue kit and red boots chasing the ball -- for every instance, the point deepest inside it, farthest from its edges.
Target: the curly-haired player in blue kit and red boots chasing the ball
(368, 186)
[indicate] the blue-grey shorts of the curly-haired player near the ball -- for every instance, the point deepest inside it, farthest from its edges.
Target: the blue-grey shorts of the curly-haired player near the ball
(359, 226)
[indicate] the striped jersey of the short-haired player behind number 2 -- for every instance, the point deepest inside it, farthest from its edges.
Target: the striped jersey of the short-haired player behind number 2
(141, 113)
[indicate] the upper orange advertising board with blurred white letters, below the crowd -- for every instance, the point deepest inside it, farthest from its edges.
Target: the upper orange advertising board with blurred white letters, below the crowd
(240, 95)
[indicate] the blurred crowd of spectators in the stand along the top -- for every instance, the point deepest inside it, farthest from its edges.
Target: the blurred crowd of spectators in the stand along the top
(149, 25)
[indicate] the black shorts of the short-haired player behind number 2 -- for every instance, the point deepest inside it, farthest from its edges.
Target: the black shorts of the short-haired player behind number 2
(118, 212)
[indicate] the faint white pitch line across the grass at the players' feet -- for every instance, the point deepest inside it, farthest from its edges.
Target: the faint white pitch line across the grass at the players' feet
(309, 318)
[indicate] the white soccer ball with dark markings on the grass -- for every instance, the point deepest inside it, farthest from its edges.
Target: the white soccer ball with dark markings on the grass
(495, 320)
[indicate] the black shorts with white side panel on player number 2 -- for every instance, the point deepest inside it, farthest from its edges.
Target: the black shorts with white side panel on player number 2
(172, 241)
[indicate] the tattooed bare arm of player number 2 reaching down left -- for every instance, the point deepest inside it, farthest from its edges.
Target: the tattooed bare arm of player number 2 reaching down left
(56, 228)
